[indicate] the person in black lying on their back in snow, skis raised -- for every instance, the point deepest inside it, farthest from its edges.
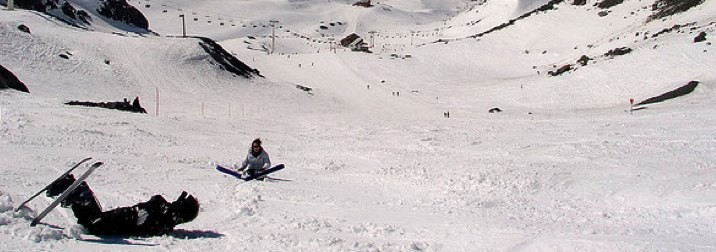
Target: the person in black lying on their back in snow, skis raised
(154, 217)
